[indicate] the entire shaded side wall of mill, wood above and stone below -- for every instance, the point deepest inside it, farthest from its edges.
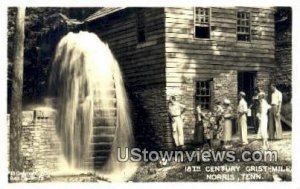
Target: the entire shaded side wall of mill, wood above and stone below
(144, 70)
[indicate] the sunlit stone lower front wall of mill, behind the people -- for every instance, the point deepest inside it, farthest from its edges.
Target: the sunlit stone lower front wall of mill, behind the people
(225, 85)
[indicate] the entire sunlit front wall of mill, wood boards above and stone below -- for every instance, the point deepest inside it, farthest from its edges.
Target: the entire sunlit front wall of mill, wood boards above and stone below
(220, 57)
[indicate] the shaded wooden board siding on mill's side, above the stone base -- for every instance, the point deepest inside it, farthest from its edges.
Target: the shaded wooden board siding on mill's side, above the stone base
(142, 64)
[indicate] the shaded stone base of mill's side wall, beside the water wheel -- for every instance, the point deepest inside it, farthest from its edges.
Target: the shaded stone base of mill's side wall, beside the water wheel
(152, 128)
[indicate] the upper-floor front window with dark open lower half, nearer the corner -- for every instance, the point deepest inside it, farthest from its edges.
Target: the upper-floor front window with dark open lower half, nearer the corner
(202, 22)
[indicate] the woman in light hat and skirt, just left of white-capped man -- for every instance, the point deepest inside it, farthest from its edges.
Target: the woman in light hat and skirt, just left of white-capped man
(227, 130)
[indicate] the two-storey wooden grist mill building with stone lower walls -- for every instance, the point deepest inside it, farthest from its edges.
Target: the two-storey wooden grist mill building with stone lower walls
(195, 53)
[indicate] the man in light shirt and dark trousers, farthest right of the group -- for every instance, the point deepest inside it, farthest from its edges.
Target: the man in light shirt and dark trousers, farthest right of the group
(275, 128)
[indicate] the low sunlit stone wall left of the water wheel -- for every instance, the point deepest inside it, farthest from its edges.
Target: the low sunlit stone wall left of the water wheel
(40, 146)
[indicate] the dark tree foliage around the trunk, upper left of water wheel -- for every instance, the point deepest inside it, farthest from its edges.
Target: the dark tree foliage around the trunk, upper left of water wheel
(44, 28)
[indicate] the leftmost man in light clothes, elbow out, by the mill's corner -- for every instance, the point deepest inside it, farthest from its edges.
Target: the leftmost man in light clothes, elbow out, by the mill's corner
(175, 111)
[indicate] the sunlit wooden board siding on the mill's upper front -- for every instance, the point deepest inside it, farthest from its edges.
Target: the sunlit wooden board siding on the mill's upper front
(194, 57)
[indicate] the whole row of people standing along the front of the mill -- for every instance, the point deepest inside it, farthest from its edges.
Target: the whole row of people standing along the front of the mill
(218, 123)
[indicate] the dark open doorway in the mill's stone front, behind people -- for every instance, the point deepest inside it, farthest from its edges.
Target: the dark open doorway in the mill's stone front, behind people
(247, 83)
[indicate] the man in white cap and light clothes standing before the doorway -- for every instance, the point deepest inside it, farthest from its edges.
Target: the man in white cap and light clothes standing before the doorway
(242, 117)
